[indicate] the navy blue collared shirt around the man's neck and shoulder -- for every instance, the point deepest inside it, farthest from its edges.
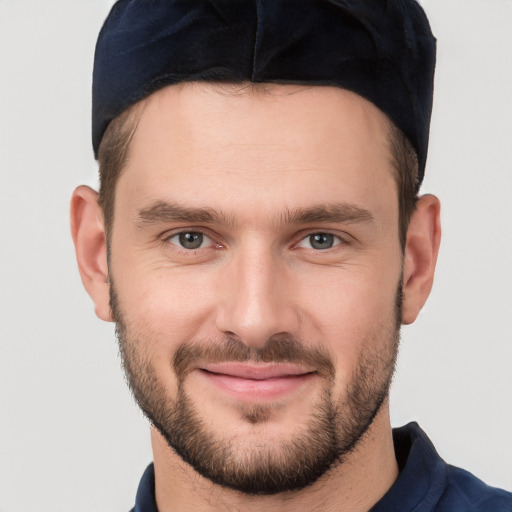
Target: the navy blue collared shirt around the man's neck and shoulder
(425, 484)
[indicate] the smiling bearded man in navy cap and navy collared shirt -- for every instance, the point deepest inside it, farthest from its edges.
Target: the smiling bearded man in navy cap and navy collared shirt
(258, 241)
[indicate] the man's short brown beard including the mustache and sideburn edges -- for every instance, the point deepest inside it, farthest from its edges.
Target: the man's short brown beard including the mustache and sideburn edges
(261, 466)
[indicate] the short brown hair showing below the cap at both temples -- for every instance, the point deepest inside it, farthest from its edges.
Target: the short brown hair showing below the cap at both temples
(113, 155)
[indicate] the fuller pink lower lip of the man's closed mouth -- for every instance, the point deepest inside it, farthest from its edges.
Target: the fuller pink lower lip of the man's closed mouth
(257, 390)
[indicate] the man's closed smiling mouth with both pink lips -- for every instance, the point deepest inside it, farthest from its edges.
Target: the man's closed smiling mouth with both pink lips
(257, 382)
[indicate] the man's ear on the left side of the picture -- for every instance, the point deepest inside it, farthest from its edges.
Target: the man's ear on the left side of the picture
(88, 232)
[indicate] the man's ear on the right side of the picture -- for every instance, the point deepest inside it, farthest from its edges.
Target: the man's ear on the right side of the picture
(421, 249)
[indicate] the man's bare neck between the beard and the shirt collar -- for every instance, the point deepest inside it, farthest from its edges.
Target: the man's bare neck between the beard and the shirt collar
(354, 486)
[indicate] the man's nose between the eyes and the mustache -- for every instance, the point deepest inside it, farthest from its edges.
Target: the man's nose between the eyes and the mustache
(256, 292)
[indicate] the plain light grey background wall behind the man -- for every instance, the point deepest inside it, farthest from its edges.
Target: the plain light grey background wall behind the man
(71, 437)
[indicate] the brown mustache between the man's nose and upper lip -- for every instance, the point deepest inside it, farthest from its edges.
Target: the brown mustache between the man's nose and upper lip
(277, 349)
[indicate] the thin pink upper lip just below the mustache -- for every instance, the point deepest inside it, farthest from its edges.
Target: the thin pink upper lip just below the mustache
(257, 371)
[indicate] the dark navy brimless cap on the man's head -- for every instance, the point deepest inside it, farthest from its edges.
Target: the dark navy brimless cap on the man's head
(382, 50)
